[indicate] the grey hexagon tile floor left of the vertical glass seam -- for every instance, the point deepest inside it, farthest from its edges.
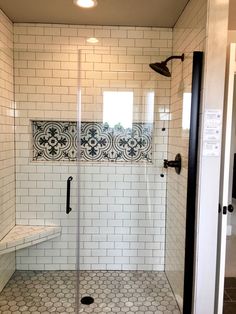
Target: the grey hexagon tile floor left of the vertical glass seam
(39, 292)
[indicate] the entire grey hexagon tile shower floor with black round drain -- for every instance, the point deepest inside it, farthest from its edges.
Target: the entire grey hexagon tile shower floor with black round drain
(131, 292)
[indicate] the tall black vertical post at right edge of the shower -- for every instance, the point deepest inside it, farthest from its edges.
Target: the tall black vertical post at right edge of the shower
(193, 164)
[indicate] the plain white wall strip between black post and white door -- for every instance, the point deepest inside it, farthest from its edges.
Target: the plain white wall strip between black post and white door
(209, 167)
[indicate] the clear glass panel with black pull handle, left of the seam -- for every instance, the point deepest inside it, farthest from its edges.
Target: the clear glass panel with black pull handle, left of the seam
(45, 147)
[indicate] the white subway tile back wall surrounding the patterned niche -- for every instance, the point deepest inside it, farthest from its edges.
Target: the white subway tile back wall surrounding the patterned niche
(122, 207)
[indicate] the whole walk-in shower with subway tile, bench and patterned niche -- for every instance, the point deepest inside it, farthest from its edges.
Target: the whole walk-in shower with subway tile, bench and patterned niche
(102, 218)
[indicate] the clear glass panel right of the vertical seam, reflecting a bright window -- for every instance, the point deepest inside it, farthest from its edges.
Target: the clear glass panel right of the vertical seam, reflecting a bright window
(124, 113)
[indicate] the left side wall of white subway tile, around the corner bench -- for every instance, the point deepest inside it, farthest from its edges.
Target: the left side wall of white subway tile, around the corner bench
(7, 165)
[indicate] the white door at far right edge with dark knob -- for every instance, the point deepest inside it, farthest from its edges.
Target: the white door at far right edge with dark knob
(225, 176)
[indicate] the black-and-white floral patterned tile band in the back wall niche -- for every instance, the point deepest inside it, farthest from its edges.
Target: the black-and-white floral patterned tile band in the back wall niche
(57, 140)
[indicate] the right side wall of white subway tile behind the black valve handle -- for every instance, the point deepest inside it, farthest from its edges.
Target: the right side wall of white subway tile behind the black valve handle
(189, 35)
